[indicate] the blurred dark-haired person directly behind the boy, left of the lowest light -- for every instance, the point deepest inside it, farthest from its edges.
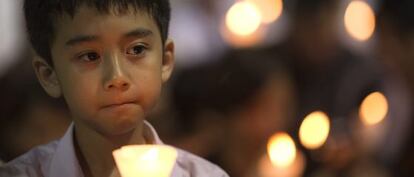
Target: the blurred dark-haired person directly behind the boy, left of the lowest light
(228, 109)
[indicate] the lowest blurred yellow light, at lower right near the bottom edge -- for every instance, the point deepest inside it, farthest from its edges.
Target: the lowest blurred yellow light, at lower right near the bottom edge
(281, 150)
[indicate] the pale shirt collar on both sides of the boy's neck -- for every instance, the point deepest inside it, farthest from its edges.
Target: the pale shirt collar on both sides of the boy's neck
(64, 162)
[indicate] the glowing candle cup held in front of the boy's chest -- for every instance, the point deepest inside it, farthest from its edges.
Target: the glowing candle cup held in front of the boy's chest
(145, 160)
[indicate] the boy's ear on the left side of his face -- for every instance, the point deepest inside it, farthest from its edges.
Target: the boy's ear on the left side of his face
(46, 76)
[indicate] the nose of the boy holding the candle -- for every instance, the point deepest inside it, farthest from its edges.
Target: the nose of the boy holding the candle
(116, 77)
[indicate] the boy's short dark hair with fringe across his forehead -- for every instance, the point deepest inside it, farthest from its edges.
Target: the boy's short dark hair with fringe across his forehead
(40, 17)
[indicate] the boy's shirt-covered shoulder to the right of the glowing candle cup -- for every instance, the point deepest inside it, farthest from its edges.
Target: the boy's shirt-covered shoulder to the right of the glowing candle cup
(196, 166)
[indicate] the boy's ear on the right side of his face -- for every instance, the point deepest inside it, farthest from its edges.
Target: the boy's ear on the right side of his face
(168, 60)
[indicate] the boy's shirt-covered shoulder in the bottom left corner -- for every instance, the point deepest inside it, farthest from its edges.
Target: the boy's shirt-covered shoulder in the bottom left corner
(32, 163)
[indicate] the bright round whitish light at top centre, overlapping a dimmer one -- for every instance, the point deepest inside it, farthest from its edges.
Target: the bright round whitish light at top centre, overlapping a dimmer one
(243, 18)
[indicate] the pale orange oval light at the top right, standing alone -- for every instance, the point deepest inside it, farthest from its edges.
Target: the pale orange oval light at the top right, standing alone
(359, 20)
